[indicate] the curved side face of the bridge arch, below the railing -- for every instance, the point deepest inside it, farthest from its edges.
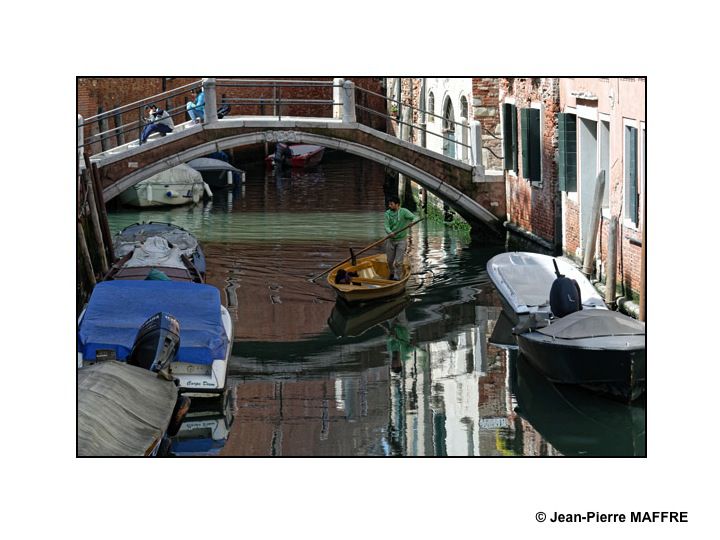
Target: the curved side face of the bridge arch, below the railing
(456, 196)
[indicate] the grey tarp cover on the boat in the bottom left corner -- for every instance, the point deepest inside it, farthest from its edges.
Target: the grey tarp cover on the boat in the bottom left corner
(122, 409)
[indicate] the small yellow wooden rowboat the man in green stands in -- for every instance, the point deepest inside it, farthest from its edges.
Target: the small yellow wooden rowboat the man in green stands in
(371, 282)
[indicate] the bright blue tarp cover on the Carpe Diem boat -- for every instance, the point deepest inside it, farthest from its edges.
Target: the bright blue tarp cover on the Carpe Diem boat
(117, 309)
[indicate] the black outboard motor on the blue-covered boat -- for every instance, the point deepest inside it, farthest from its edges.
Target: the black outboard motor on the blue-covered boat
(156, 344)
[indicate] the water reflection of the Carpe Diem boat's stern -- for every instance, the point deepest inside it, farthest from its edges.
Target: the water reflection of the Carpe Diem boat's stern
(205, 429)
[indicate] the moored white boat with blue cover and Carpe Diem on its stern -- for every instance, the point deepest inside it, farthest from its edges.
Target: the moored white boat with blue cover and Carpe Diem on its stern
(117, 309)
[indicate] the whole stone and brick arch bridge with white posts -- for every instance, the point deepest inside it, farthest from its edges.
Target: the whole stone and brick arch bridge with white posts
(463, 186)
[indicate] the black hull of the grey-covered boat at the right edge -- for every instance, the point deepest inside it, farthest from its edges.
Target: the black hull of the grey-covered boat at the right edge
(612, 365)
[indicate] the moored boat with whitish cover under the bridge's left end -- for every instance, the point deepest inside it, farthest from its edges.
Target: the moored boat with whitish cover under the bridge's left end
(176, 186)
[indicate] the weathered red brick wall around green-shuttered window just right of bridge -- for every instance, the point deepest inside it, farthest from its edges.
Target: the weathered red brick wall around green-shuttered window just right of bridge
(528, 206)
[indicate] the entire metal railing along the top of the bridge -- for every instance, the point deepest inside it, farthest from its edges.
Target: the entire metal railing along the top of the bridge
(230, 94)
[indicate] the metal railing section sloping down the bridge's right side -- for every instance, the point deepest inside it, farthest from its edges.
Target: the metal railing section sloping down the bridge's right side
(469, 143)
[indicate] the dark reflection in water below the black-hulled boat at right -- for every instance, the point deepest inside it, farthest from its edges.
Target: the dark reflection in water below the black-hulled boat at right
(577, 422)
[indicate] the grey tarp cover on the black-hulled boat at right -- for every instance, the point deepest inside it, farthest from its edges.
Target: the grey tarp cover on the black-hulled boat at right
(594, 323)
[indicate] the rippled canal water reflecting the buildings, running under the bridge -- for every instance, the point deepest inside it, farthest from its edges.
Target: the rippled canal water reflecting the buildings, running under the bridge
(427, 374)
